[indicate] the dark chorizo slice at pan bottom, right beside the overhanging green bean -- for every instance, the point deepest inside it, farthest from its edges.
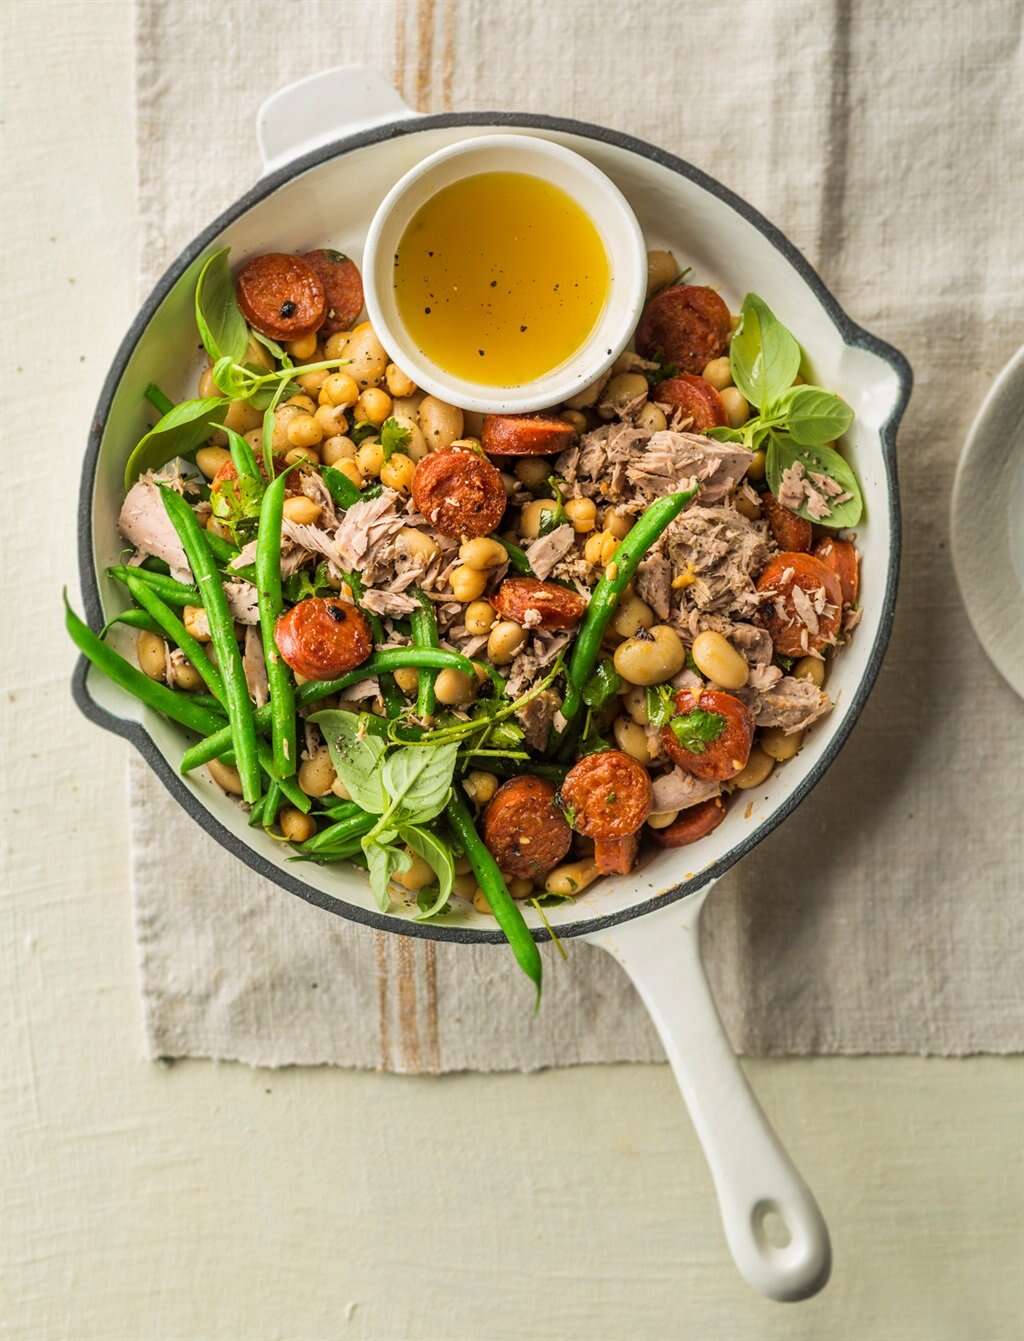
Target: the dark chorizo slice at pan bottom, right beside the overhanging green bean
(525, 831)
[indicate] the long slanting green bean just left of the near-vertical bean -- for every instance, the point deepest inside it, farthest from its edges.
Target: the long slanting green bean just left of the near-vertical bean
(223, 638)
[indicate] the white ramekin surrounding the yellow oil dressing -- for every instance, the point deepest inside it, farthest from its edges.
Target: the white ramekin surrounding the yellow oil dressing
(589, 187)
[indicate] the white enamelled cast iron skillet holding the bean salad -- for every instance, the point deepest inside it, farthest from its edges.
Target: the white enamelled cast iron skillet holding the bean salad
(334, 145)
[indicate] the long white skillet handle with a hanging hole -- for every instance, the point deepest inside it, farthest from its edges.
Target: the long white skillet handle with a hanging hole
(754, 1178)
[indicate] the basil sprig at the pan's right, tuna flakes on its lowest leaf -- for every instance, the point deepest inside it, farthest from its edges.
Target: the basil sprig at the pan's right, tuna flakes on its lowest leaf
(794, 423)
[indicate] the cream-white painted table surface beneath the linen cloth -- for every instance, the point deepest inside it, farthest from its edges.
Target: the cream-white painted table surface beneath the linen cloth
(214, 1202)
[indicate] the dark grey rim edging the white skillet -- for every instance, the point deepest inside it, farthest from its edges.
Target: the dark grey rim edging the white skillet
(140, 738)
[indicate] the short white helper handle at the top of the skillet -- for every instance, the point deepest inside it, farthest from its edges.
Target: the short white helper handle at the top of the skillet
(322, 108)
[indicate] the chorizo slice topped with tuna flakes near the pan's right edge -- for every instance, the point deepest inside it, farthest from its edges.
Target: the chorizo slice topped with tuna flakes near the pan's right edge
(809, 622)
